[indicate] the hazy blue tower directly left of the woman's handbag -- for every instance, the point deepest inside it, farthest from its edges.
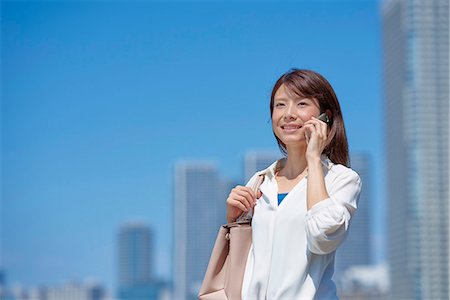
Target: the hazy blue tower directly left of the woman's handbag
(198, 212)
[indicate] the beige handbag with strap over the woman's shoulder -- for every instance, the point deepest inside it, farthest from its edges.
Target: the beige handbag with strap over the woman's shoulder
(226, 267)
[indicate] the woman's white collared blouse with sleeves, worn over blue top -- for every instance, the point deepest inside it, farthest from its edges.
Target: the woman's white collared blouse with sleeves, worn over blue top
(292, 252)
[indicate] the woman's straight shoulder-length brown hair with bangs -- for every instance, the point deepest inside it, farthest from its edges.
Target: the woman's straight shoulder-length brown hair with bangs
(307, 83)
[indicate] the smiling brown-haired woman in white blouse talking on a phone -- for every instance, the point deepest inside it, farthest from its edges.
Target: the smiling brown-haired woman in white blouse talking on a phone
(304, 206)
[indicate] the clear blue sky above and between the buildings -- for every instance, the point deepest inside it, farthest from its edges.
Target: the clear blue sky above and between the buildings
(99, 99)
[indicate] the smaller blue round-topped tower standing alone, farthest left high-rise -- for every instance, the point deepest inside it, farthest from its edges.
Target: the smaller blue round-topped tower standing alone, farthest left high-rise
(135, 262)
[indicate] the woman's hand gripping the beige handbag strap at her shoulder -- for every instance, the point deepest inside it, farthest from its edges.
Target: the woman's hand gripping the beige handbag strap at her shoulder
(240, 199)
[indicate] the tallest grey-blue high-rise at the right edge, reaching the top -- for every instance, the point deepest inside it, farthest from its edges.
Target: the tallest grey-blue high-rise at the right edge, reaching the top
(416, 90)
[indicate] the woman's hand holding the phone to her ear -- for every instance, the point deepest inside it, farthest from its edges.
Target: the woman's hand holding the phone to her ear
(317, 131)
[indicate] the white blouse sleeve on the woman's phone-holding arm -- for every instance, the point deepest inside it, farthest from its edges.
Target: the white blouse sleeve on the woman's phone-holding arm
(327, 221)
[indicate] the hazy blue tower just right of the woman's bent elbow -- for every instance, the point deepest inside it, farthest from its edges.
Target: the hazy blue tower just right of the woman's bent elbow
(356, 249)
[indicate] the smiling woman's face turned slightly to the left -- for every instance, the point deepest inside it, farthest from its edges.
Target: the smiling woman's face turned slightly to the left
(289, 115)
